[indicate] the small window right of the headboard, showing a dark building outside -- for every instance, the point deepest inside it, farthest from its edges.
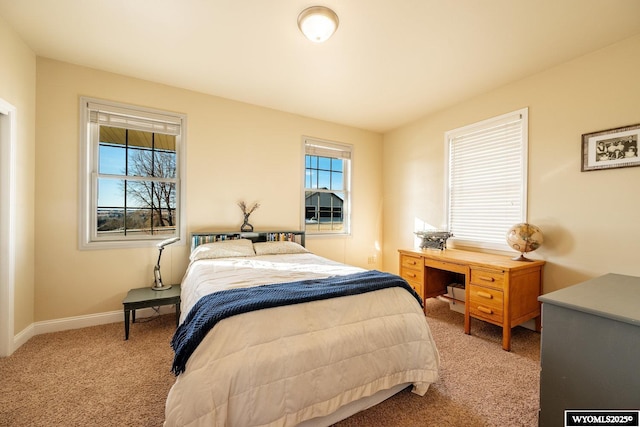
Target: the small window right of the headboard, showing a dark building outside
(327, 181)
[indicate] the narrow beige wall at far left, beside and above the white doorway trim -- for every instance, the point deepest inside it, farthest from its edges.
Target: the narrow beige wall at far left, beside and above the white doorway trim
(17, 87)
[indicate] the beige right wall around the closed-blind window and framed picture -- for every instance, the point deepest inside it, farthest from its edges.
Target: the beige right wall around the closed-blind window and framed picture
(589, 219)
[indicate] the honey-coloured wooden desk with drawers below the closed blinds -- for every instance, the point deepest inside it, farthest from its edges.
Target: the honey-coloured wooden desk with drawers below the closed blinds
(498, 290)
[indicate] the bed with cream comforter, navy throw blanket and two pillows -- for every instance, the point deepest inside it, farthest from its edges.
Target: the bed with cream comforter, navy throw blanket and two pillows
(309, 363)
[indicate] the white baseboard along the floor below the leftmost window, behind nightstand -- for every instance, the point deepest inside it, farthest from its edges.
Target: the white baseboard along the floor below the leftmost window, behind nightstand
(77, 322)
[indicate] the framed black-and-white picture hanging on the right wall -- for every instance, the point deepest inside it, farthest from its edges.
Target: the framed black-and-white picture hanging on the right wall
(611, 148)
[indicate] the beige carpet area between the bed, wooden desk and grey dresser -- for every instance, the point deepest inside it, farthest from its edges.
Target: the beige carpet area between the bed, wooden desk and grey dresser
(480, 384)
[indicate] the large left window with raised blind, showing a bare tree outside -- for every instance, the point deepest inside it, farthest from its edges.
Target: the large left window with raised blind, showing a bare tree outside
(131, 175)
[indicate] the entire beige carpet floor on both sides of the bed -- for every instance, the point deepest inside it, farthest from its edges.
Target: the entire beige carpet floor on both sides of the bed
(92, 377)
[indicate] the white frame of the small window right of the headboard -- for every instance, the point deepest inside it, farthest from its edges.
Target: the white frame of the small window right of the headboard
(323, 148)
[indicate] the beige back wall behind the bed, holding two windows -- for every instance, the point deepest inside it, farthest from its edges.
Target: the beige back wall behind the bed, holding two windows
(235, 152)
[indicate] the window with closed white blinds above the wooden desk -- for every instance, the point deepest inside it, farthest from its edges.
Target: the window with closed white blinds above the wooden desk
(487, 179)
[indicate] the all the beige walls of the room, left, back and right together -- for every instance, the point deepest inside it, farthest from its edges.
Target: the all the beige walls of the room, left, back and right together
(238, 152)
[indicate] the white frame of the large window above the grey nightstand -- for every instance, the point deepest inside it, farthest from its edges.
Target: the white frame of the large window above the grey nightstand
(89, 148)
